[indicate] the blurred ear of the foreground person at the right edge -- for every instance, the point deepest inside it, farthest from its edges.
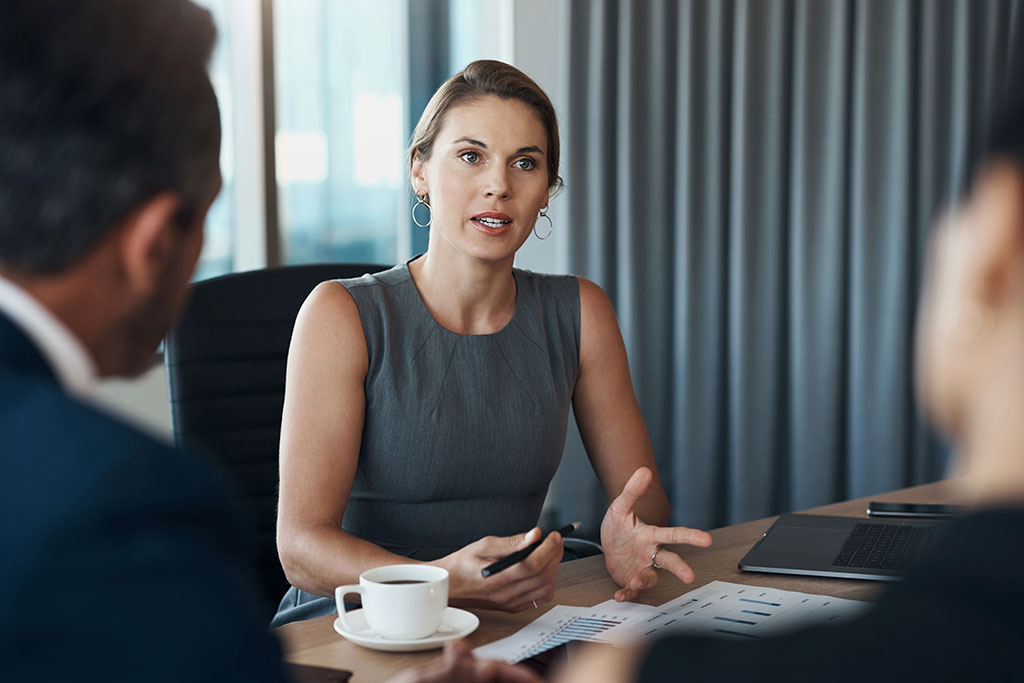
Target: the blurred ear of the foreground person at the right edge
(997, 215)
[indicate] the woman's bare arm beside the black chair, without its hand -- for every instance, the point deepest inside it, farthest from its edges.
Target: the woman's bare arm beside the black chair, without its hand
(321, 432)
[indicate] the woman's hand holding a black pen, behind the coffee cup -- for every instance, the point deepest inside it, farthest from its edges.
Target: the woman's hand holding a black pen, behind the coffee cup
(523, 586)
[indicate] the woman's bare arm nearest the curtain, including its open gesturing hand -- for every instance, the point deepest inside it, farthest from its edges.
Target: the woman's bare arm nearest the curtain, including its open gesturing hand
(619, 448)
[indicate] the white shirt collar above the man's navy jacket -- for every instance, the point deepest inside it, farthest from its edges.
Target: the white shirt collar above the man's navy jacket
(69, 360)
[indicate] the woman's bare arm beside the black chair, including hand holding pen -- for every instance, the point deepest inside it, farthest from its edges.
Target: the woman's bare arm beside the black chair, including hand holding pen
(321, 435)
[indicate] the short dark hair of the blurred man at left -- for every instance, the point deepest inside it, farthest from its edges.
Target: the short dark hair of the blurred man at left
(104, 105)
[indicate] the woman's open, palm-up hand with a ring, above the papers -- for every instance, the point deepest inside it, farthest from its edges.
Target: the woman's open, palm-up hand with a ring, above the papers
(630, 545)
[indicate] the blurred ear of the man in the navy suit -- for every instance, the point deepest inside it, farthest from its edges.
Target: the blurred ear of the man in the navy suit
(147, 239)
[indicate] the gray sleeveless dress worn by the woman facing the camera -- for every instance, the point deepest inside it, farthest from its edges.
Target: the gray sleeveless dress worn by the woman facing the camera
(463, 434)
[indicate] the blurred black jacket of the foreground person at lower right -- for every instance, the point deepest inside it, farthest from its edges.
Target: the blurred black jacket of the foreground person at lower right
(959, 617)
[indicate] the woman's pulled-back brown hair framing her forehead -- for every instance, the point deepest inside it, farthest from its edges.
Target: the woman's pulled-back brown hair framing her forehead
(487, 77)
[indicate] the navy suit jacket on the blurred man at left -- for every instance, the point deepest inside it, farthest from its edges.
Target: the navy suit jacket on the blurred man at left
(121, 560)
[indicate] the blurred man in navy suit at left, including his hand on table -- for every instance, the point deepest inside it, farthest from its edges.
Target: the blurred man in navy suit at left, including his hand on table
(122, 560)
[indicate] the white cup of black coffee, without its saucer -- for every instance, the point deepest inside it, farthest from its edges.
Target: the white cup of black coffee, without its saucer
(401, 602)
